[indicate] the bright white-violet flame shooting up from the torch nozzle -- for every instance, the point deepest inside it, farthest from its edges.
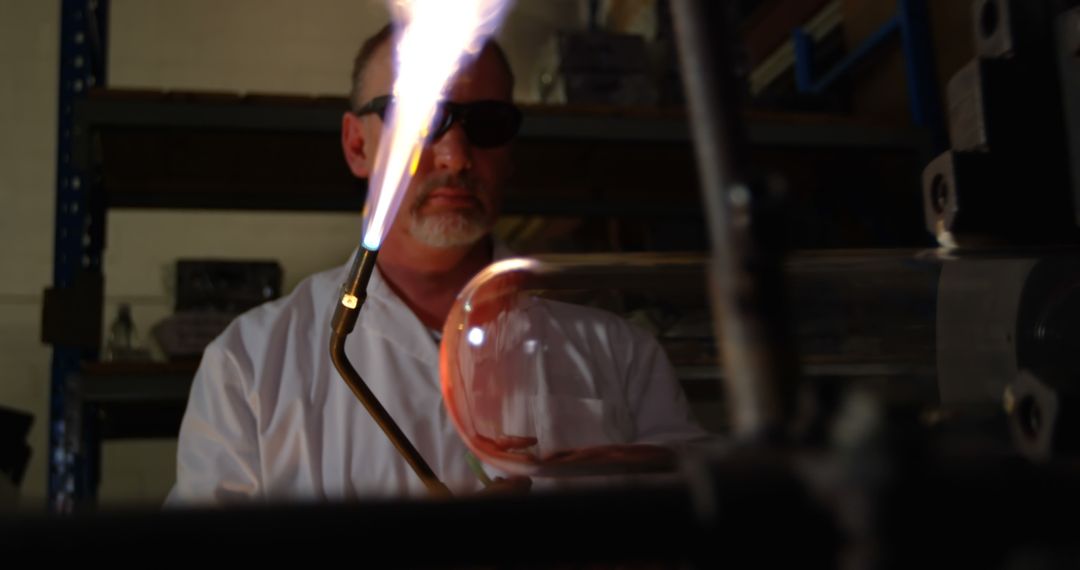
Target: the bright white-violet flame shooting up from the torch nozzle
(439, 37)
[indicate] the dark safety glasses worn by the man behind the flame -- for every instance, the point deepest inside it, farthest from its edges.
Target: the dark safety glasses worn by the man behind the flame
(487, 124)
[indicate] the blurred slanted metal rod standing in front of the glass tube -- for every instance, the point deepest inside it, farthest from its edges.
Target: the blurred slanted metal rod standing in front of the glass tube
(747, 288)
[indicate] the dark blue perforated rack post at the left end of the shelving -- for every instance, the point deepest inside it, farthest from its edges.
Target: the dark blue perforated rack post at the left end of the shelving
(79, 238)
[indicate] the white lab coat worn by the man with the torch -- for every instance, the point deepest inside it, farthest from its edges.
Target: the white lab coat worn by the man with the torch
(271, 419)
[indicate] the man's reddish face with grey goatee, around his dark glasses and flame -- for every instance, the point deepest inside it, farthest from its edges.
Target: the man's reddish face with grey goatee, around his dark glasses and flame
(455, 197)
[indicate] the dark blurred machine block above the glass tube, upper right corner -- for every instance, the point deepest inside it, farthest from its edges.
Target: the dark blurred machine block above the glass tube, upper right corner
(1012, 177)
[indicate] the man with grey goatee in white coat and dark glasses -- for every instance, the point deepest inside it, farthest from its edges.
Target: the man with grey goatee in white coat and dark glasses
(271, 419)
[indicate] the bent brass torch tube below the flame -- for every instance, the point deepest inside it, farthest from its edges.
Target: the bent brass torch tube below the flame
(354, 295)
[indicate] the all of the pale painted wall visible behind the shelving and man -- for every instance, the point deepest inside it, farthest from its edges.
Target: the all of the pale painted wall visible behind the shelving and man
(234, 46)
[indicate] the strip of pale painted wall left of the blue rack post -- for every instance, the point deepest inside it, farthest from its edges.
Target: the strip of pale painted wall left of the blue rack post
(29, 63)
